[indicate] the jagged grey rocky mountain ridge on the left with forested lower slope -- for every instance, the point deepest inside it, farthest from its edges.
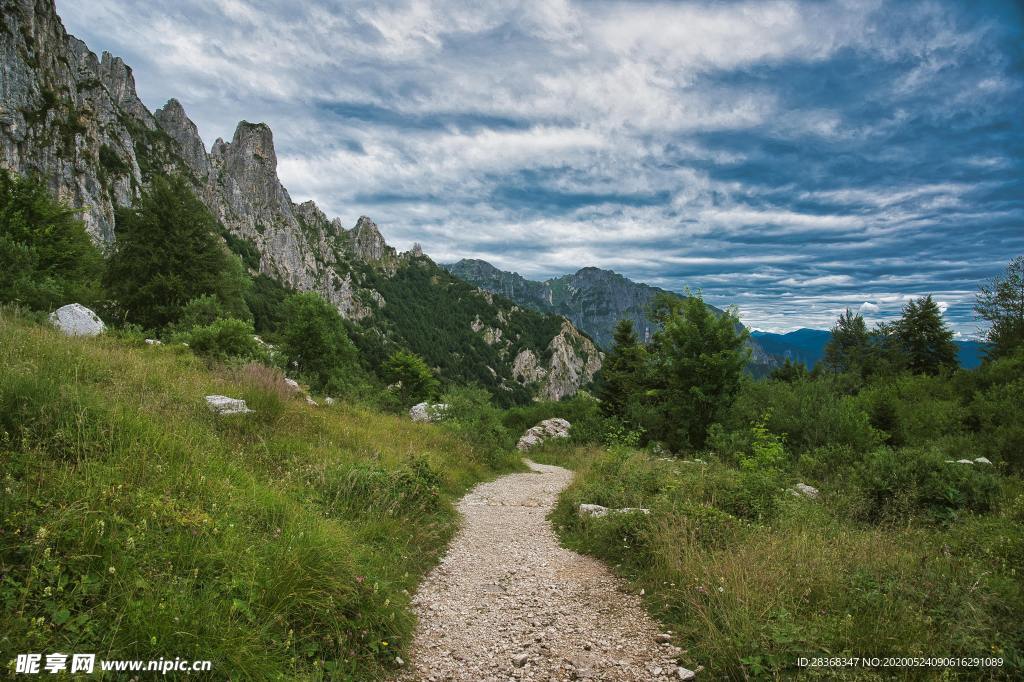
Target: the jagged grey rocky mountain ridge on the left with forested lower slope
(77, 121)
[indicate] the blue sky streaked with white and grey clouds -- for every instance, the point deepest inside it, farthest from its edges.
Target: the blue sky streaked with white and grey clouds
(792, 159)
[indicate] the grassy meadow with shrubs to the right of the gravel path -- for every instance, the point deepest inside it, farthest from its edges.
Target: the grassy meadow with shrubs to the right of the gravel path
(749, 579)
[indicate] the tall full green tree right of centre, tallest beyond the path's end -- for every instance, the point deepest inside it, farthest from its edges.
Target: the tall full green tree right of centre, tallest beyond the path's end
(696, 368)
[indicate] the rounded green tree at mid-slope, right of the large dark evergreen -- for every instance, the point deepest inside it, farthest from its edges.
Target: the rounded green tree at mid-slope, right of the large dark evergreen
(315, 345)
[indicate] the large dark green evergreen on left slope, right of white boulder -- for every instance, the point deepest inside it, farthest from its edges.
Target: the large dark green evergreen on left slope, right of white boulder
(167, 253)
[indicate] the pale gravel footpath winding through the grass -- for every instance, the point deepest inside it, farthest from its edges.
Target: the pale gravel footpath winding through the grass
(509, 604)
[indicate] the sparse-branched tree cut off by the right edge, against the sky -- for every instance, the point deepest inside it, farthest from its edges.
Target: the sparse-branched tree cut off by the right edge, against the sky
(1001, 304)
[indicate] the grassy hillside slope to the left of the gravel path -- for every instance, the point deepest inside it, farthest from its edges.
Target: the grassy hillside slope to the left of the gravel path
(137, 525)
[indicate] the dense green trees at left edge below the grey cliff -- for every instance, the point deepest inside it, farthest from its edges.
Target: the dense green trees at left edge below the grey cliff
(49, 260)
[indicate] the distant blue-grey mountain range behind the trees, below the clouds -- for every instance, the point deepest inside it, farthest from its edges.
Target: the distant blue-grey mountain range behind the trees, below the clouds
(592, 300)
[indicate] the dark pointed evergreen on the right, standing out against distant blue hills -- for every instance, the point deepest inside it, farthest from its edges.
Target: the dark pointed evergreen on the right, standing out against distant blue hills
(925, 339)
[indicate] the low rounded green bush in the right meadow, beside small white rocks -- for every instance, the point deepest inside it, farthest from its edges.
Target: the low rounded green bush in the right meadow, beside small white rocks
(899, 484)
